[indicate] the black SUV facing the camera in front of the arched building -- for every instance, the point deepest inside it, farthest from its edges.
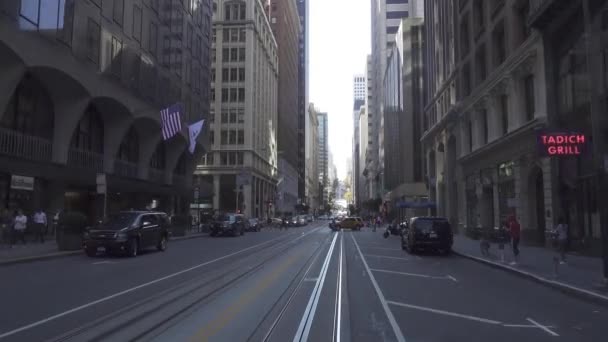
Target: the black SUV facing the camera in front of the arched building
(128, 231)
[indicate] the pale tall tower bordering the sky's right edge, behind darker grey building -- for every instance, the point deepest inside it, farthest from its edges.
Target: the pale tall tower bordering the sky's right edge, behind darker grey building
(386, 18)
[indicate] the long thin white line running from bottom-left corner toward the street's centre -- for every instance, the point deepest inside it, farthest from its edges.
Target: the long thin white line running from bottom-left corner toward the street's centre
(135, 288)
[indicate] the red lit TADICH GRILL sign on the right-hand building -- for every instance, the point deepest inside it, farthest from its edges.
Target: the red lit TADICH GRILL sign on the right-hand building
(561, 144)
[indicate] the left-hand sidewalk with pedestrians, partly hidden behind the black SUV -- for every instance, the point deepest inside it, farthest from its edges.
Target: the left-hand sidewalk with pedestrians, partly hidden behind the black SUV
(33, 251)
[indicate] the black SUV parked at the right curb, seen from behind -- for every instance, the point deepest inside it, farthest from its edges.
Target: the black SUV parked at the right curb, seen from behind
(428, 233)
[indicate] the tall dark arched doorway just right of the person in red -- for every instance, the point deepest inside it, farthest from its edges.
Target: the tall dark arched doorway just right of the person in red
(536, 207)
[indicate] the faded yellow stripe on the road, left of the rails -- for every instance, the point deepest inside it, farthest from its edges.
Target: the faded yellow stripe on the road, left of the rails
(228, 314)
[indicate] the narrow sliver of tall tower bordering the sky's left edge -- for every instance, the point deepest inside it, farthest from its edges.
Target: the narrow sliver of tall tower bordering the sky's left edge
(303, 11)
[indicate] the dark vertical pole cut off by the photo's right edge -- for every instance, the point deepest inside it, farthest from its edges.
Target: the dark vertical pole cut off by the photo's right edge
(595, 69)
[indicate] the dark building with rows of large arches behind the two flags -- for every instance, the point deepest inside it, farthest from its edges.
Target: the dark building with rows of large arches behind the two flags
(82, 86)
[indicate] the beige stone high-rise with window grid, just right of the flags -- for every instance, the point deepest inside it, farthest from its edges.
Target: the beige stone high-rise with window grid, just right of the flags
(243, 162)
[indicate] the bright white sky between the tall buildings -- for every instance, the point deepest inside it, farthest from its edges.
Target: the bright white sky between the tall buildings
(339, 43)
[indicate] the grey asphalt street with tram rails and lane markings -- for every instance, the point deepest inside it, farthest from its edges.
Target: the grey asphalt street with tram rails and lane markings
(303, 284)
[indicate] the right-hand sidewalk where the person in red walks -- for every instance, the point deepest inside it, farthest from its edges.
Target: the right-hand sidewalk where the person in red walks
(581, 275)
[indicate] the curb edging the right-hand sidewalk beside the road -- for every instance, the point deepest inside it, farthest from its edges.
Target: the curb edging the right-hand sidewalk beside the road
(574, 291)
